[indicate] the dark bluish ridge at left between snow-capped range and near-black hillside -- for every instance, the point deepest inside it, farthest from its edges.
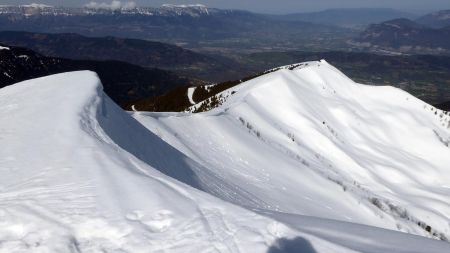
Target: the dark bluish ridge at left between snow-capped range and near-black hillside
(144, 53)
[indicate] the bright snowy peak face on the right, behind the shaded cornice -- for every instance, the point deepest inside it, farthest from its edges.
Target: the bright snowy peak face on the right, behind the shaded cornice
(308, 140)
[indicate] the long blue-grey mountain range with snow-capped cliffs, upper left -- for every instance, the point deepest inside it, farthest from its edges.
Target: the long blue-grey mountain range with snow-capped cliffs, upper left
(192, 26)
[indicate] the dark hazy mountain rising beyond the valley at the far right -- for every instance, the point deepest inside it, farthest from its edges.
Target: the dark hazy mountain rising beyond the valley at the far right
(404, 36)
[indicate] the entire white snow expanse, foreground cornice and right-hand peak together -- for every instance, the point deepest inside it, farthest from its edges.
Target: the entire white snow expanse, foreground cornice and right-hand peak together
(299, 160)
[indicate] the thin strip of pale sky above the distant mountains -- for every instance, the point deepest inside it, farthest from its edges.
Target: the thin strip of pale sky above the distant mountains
(271, 6)
